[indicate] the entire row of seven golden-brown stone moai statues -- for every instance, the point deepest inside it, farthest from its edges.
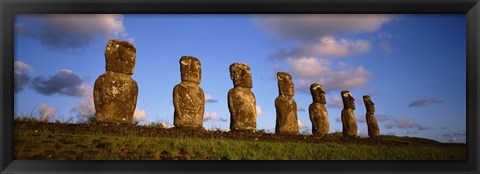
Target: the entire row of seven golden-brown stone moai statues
(115, 97)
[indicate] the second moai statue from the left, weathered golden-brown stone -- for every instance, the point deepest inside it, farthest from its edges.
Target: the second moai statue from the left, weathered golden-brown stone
(188, 97)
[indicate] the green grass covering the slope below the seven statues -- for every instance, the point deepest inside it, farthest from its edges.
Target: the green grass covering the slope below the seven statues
(44, 144)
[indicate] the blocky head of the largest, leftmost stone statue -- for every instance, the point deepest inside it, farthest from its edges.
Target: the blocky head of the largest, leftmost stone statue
(120, 57)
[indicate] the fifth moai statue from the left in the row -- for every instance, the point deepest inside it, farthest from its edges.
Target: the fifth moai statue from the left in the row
(318, 112)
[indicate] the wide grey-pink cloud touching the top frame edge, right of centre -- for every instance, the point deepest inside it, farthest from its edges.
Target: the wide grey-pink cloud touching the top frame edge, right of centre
(308, 26)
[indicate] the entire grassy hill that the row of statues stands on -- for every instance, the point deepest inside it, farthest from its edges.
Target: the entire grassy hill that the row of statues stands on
(99, 141)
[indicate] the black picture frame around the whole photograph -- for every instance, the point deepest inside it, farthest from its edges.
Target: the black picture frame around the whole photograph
(8, 8)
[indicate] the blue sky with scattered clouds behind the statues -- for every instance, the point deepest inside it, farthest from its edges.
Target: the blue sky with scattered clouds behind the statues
(413, 66)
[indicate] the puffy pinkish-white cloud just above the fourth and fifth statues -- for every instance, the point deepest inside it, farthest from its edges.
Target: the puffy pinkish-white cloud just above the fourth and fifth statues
(315, 70)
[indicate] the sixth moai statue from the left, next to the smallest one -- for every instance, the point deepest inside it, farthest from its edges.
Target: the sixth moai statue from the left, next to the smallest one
(348, 119)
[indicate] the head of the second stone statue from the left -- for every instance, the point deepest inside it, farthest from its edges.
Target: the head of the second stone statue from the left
(190, 69)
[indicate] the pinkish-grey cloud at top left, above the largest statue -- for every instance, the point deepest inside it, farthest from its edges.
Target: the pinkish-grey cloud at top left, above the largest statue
(72, 31)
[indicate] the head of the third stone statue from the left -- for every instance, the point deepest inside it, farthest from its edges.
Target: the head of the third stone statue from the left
(240, 74)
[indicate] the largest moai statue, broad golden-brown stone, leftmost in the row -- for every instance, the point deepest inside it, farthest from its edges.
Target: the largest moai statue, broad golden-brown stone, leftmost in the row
(115, 92)
